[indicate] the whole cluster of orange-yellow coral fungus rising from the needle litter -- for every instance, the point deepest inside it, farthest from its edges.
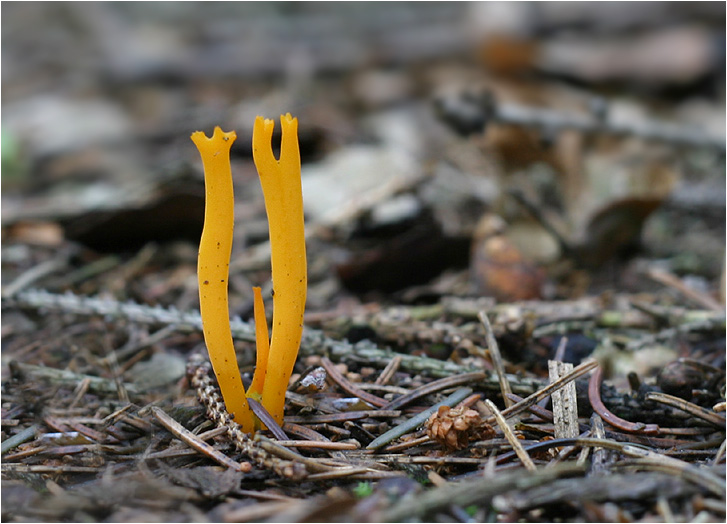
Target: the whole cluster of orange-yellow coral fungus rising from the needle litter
(281, 185)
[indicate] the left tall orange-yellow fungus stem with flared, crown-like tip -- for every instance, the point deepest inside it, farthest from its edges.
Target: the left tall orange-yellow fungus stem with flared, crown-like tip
(213, 268)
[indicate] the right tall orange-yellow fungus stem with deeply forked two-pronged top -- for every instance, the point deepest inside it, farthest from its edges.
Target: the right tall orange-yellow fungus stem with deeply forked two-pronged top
(283, 194)
